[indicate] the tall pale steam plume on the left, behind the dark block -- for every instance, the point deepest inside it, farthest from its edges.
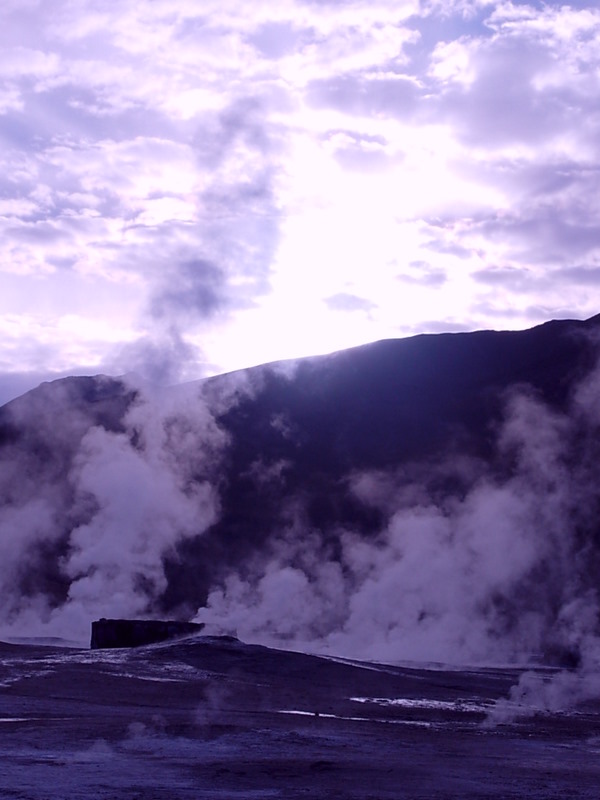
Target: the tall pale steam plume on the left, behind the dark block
(128, 497)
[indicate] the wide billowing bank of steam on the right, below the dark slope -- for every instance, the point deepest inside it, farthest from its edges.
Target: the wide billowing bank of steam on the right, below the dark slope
(502, 572)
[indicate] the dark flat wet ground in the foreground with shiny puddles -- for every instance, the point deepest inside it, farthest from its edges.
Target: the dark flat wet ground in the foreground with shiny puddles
(214, 718)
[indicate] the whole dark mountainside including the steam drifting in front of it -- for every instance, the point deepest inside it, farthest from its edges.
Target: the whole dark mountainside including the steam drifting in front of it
(425, 497)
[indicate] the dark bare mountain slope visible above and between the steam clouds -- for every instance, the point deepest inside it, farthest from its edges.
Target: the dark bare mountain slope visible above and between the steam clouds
(401, 404)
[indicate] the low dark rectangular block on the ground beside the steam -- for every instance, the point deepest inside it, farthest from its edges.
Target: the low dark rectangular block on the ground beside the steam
(109, 633)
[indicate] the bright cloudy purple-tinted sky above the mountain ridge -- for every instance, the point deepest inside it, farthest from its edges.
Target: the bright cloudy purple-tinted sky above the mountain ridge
(189, 187)
